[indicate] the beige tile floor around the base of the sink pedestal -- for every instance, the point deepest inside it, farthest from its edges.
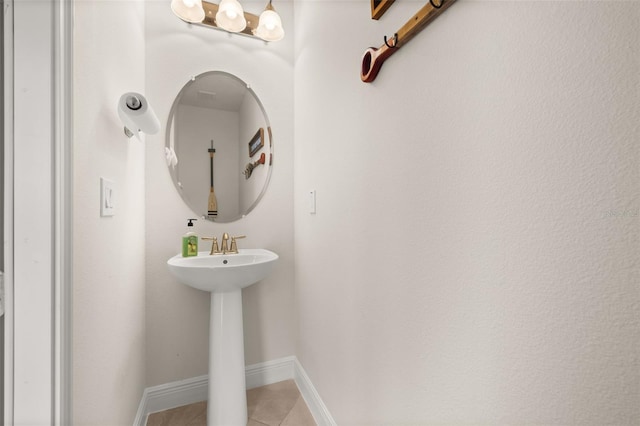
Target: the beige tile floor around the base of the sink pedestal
(279, 404)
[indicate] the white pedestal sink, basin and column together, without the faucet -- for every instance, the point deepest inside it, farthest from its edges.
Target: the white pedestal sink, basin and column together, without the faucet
(224, 276)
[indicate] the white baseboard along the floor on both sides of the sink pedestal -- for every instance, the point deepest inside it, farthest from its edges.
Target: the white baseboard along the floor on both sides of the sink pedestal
(189, 391)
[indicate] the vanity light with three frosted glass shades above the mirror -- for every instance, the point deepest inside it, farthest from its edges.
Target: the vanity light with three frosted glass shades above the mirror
(230, 16)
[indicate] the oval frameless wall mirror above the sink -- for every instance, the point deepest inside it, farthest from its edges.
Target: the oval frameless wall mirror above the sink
(219, 147)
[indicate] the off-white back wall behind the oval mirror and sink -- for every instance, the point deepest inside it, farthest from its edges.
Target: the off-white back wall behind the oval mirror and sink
(178, 316)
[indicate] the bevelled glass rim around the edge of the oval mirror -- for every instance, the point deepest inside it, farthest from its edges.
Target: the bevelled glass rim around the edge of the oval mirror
(268, 134)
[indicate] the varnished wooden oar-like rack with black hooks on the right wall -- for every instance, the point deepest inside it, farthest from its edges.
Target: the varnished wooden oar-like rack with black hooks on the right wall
(373, 58)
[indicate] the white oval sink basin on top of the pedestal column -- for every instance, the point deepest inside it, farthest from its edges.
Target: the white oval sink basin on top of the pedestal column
(226, 272)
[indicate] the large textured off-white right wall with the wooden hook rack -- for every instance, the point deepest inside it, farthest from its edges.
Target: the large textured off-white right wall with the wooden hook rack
(474, 256)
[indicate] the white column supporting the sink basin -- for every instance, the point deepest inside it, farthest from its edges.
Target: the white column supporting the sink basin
(227, 403)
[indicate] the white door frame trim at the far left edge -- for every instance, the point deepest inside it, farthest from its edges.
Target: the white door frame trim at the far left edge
(38, 237)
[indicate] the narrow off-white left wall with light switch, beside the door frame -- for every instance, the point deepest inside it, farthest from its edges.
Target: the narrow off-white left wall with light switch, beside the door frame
(109, 274)
